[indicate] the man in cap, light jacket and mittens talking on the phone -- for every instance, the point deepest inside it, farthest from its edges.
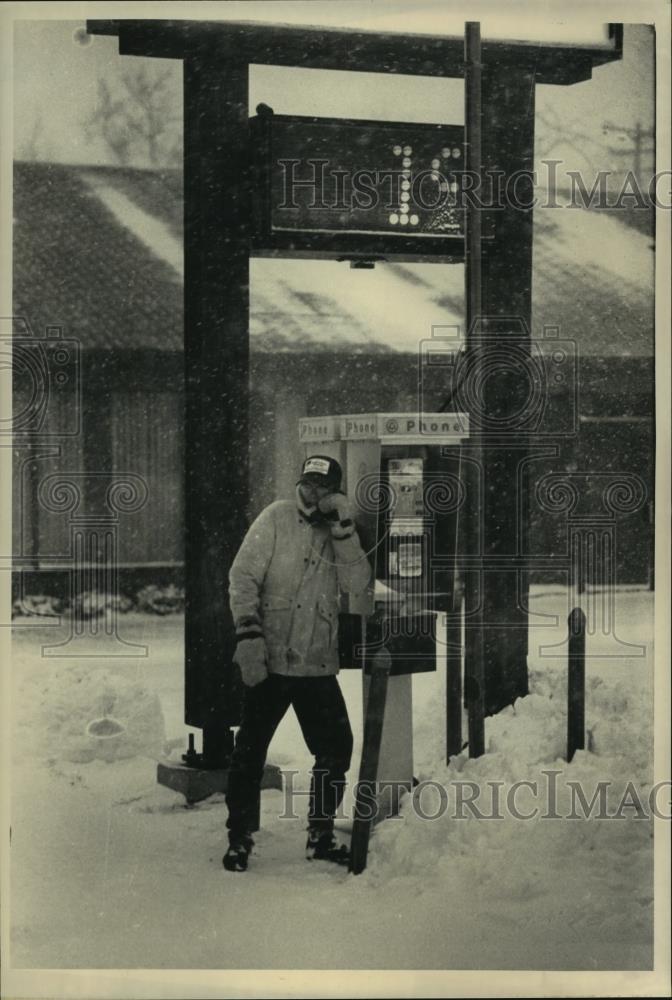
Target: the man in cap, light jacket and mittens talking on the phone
(284, 593)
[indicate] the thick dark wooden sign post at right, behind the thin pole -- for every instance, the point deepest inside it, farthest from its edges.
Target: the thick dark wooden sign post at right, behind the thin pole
(507, 400)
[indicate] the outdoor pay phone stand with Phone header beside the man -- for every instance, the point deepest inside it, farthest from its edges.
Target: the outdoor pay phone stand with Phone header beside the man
(403, 473)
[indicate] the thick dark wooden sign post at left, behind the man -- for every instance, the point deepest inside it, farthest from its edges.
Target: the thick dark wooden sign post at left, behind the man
(216, 262)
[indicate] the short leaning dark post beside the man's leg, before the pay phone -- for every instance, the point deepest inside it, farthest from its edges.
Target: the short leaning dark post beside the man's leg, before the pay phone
(365, 802)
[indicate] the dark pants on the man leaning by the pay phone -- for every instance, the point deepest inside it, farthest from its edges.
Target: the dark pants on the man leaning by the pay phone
(323, 718)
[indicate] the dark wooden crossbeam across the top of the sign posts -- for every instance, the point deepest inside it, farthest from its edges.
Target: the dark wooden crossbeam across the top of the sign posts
(345, 49)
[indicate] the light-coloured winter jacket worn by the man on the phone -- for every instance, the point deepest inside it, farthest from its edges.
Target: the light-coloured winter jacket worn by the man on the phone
(287, 575)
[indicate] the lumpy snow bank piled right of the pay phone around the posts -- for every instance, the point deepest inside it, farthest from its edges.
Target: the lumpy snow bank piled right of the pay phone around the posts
(569, 869)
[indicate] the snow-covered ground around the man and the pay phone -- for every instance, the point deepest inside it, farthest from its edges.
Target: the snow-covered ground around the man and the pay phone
(110, 870)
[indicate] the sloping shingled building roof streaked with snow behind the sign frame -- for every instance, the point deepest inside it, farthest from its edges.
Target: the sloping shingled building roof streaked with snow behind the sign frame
(98, 252)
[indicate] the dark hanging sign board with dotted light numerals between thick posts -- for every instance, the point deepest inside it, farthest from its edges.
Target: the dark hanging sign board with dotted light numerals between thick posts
(336, 188)
